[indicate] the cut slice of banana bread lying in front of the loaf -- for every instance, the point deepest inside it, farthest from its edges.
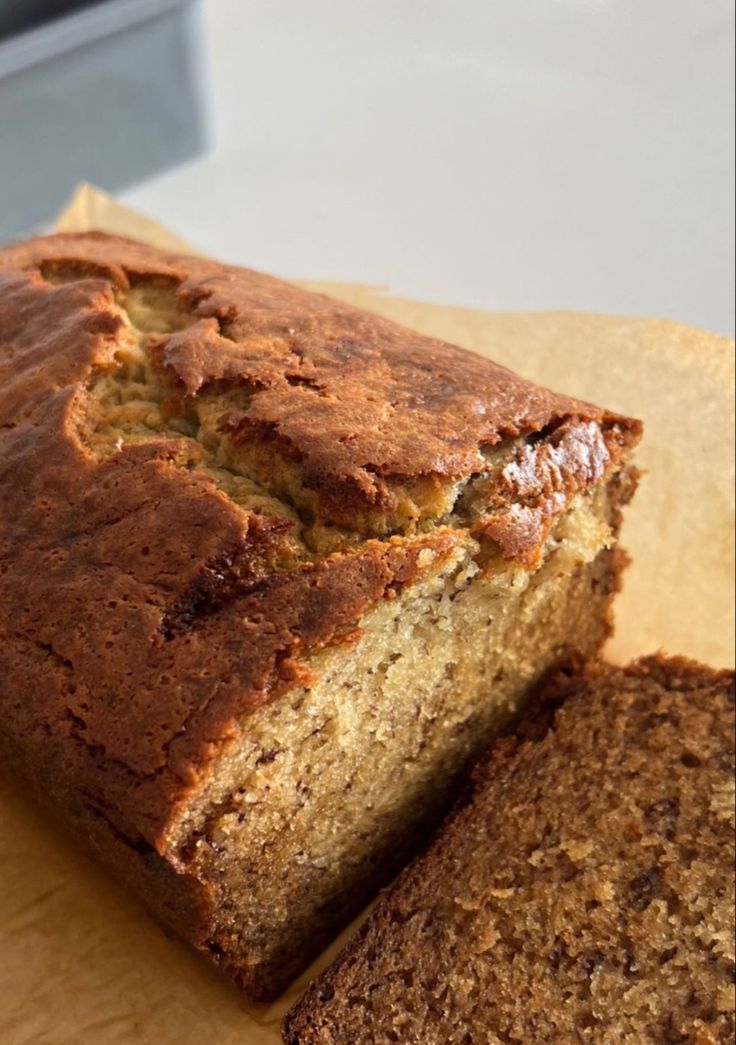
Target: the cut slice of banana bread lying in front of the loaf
(585, 893)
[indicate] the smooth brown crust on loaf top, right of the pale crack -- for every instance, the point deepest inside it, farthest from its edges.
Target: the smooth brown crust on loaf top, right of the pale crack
(359, 402)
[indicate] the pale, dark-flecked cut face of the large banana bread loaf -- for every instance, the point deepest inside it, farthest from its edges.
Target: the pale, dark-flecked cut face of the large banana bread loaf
(332, 788)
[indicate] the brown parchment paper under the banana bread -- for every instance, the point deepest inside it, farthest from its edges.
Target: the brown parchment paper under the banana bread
(82, 963)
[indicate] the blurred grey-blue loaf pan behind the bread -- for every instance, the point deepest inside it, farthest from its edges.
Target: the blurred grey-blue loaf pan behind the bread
(110, 94)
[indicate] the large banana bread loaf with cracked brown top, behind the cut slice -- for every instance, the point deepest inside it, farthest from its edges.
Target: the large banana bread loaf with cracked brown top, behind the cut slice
(273, 572)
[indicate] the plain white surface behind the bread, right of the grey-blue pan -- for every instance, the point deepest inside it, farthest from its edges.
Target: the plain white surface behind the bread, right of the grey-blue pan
(503, 154)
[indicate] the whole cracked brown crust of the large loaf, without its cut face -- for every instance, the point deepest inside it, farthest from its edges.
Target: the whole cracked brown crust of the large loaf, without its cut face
(206, 474)
